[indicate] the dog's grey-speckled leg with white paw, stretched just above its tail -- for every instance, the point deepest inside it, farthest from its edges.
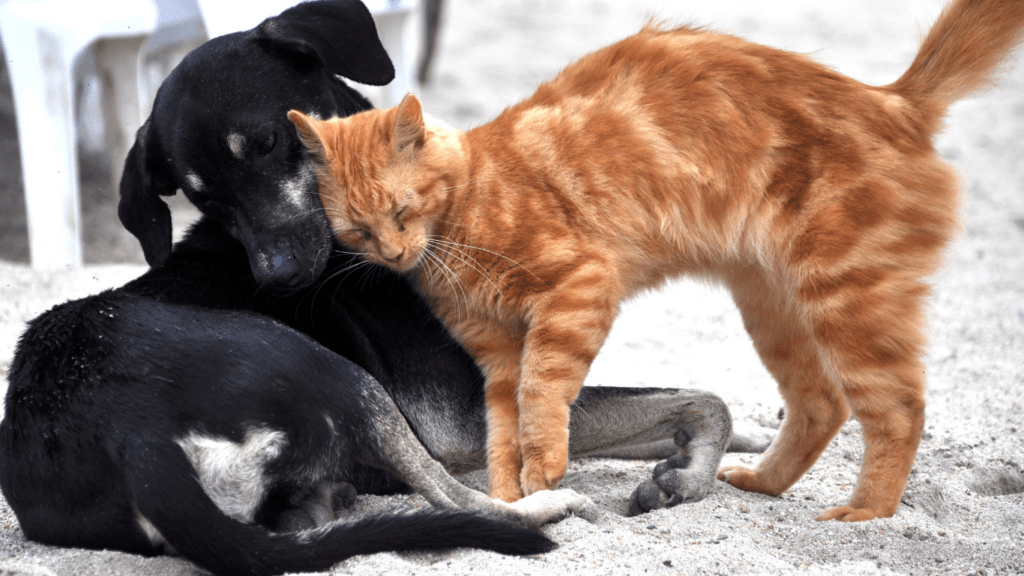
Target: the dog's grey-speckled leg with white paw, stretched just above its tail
(394, 446)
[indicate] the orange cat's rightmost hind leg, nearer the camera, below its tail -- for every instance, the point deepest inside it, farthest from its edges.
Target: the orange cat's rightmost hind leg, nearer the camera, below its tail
(875, 343)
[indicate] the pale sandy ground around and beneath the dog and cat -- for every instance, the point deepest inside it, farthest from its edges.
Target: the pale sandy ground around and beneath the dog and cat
(964, 509)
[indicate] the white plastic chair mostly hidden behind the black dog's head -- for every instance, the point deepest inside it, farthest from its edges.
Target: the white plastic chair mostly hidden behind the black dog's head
(392, 18)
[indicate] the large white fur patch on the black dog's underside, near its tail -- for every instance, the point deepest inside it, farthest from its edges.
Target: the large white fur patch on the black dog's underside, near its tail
(233, 474)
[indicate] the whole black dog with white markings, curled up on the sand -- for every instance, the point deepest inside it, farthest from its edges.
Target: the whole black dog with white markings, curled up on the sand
(229, 392)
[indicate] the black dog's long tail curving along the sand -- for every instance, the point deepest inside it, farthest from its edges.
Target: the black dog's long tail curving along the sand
(170, 499)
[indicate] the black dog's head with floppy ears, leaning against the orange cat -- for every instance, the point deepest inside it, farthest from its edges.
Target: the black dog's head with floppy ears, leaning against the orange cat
(219, 132)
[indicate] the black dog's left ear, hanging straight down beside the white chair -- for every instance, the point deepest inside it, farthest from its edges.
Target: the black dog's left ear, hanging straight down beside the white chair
(141, 210)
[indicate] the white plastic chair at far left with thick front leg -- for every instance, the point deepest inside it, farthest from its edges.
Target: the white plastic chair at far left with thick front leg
(44, 40)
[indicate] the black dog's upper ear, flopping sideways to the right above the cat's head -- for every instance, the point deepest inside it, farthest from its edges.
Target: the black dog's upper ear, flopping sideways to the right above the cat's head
(338, 34)
